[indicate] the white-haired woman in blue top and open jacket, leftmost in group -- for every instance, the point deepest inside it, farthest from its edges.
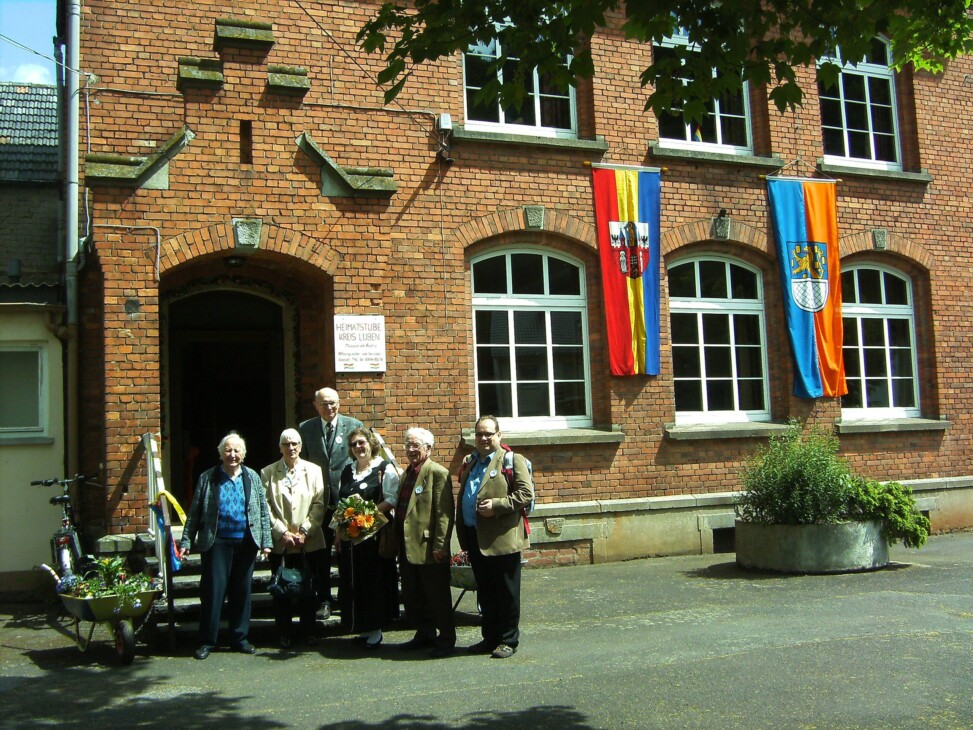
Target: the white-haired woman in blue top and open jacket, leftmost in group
(228, 523)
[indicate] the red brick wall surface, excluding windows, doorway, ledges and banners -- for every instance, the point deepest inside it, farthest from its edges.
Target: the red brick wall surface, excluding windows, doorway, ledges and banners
(408, 257)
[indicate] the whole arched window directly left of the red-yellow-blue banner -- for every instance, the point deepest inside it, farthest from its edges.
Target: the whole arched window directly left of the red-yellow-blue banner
(530, 337)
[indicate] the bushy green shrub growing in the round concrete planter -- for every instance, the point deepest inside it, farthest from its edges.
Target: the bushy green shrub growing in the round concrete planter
(798, 479)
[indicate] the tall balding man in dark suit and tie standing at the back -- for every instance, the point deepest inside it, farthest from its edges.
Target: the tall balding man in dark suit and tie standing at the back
(325, 443)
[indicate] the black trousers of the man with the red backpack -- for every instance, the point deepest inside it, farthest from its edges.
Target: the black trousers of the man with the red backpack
(497, 592)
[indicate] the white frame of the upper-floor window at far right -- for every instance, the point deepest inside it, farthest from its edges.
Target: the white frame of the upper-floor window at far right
(866, 71)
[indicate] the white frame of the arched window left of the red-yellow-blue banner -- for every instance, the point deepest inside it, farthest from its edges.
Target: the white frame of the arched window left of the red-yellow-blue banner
(547, 303)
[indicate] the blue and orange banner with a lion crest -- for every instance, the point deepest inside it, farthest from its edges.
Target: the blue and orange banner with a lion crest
(804, 217)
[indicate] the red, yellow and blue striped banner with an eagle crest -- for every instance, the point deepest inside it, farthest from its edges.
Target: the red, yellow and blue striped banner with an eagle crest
(627, 219)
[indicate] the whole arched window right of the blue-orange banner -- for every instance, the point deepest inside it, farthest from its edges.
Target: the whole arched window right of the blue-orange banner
(881, 367)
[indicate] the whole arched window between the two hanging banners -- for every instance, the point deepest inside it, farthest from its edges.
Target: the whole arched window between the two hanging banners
(719, 354)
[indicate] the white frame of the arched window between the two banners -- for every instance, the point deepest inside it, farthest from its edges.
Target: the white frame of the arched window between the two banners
(700, 306)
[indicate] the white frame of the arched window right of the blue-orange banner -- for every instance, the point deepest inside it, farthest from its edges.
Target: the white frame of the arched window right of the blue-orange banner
(859, 312)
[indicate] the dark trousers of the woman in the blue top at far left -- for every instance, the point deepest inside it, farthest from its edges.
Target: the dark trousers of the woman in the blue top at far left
(227, 572)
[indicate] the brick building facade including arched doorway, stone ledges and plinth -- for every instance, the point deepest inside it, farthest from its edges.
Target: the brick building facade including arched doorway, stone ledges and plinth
(247, 184)
